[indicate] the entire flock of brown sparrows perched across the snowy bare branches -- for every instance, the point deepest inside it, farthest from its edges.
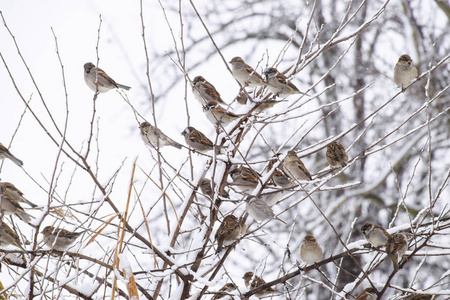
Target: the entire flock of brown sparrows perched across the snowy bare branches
(287, 172)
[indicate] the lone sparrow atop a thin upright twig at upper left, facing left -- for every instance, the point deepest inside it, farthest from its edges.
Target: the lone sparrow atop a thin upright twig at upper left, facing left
(96, 77)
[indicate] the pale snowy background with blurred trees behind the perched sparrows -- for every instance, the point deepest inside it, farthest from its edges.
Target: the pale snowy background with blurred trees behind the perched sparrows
(393, 187)
